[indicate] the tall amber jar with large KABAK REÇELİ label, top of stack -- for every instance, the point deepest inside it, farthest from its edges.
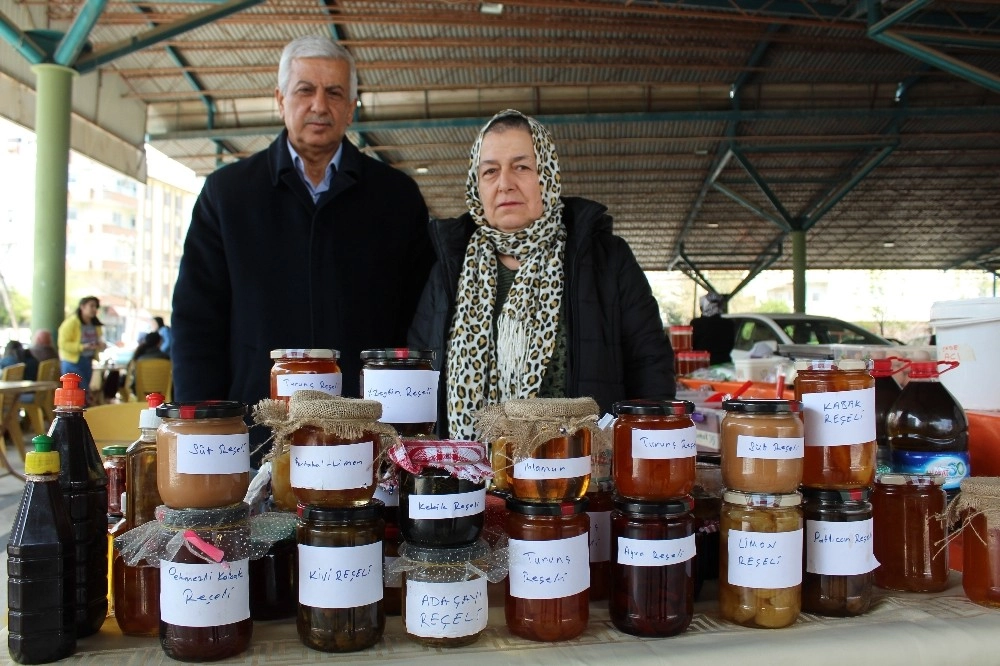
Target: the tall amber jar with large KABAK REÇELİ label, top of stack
(838, 406)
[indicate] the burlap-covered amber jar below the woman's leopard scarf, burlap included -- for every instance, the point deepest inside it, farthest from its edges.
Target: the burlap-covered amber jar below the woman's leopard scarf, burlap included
(541, 447)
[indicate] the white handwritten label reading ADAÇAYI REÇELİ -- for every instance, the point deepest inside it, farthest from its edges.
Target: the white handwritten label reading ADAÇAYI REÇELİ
(446, 610)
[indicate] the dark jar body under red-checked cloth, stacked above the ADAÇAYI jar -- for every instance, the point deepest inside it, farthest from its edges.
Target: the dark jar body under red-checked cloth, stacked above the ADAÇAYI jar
(439, 510)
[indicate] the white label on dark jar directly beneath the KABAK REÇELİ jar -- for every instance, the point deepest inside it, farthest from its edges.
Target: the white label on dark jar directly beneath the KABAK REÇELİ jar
(839, 549)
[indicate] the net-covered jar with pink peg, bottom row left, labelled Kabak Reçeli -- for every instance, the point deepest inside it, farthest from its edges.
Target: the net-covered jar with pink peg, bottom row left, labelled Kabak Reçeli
(205, 606)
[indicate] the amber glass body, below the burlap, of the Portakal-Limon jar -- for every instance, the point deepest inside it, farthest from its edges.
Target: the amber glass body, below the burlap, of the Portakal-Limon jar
(330, 471)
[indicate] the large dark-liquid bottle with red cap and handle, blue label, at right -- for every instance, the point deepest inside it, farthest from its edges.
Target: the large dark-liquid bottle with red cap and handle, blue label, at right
(927, 428)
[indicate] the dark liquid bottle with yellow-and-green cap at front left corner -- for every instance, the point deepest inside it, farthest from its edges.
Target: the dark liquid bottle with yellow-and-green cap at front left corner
(41, 595)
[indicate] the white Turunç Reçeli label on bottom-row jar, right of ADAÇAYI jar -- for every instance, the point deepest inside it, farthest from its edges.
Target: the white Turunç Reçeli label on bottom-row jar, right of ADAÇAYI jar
(549, 569)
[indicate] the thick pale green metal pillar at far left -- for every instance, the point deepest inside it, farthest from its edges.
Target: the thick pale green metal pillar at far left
(54, 87)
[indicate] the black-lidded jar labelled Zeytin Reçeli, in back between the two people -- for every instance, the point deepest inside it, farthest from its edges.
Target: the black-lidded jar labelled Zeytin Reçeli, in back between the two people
(406, 383)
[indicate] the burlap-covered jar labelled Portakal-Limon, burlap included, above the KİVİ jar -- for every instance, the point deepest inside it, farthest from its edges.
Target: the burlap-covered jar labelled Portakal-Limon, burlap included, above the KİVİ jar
(326, 449)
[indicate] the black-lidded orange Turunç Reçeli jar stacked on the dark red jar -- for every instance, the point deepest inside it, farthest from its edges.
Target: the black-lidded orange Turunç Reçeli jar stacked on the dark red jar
(654, 449)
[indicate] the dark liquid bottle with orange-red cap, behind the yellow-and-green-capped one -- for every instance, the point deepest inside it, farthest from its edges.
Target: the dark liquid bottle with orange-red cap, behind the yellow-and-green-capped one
(83, 483)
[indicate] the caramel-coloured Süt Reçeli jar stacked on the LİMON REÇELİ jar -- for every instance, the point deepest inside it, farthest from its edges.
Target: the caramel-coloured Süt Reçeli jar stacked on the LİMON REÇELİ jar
(762, 445)
